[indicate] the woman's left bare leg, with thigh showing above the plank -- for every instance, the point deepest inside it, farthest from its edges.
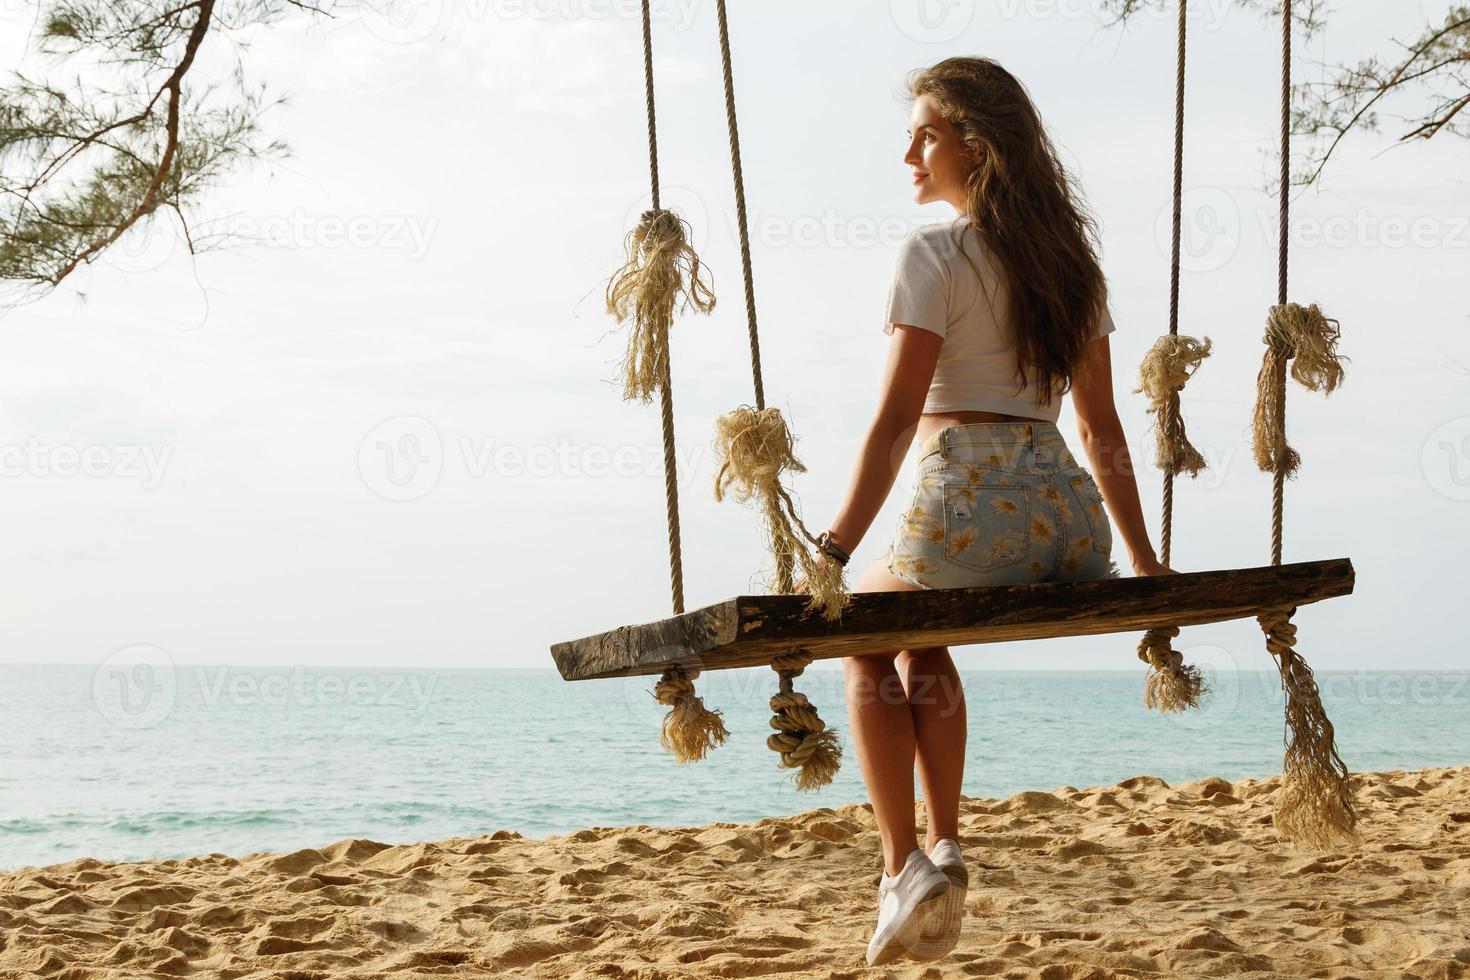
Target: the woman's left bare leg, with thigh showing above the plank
(883, 725)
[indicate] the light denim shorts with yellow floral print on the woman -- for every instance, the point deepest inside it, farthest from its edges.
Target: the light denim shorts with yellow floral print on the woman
(1002, 503)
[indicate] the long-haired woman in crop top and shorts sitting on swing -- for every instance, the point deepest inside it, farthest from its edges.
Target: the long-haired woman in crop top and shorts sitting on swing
(994, 317)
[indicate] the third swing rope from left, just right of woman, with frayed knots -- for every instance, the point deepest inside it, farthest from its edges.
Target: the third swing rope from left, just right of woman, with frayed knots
(1166, 368)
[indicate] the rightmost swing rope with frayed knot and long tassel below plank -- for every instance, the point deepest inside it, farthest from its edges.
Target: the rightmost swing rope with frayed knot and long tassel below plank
(1315, 806)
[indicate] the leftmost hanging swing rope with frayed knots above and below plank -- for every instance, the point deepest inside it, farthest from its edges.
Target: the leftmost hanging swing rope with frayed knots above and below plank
(662, 270)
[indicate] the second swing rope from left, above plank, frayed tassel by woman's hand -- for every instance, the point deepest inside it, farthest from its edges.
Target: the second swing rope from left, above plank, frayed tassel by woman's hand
(755, 442)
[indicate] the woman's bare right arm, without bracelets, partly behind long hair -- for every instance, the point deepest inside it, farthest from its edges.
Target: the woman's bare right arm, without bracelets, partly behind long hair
(1103, 440)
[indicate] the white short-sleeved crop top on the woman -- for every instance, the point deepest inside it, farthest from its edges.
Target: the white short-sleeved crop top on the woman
(936, 290)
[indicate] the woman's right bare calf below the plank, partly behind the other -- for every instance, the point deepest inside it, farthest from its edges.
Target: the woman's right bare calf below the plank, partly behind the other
(937, 700)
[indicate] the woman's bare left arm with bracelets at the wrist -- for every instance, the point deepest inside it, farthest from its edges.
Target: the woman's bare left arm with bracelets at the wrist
(912, 359)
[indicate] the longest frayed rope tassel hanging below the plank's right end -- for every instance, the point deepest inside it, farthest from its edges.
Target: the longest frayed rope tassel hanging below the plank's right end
(1315, 804)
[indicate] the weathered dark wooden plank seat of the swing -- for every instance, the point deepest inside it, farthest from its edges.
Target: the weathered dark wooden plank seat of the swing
(749, 631)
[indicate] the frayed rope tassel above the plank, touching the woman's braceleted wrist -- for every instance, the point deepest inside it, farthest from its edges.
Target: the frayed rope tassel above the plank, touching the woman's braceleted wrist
(755, 450)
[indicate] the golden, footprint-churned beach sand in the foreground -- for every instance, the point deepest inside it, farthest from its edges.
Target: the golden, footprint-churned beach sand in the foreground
(1133, 881)
